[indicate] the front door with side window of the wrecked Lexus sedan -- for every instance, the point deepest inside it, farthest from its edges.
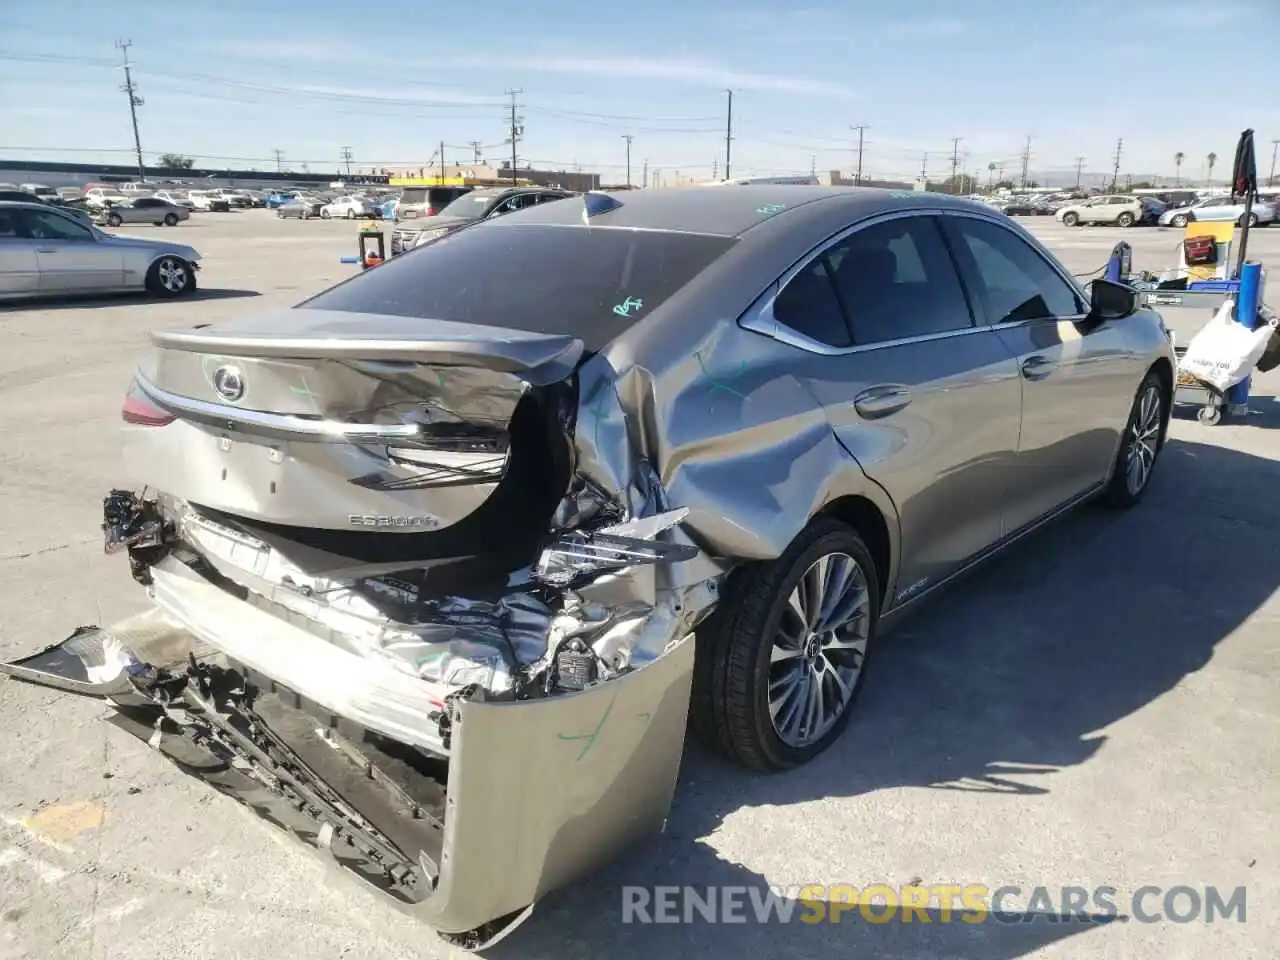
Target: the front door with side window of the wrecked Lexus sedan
(1072, 372)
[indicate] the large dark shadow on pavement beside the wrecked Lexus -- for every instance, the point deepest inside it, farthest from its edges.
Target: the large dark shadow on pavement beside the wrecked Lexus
(993, 689)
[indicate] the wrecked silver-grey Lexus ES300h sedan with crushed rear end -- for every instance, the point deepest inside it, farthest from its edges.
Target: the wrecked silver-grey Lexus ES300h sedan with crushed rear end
(444, 559)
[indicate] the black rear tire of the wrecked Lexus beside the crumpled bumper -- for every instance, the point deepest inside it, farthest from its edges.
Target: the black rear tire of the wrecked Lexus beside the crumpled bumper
(734, 670)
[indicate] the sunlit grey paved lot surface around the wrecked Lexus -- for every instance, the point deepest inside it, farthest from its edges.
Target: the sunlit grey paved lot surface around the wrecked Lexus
(1101, 707)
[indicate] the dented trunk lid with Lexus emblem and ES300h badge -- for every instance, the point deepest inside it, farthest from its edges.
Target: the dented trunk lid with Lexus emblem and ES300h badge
(327, 428)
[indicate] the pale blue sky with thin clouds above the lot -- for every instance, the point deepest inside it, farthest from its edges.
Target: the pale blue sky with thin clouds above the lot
(231, 84)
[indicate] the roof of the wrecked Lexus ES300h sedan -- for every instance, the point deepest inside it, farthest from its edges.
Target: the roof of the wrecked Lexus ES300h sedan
(732, 211)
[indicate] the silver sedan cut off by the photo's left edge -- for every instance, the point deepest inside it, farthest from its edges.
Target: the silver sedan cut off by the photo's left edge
(47, 253)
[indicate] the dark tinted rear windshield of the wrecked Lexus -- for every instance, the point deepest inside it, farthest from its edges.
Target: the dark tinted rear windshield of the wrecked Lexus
(592, 284)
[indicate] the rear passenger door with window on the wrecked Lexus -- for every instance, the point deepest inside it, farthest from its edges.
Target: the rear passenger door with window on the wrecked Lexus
(926, 400)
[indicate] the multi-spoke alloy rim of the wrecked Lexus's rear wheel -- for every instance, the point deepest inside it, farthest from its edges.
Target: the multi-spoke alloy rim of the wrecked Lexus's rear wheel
(820, 650)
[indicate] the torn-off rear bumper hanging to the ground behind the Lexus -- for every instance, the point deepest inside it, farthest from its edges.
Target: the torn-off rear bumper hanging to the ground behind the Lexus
(533, 796)
